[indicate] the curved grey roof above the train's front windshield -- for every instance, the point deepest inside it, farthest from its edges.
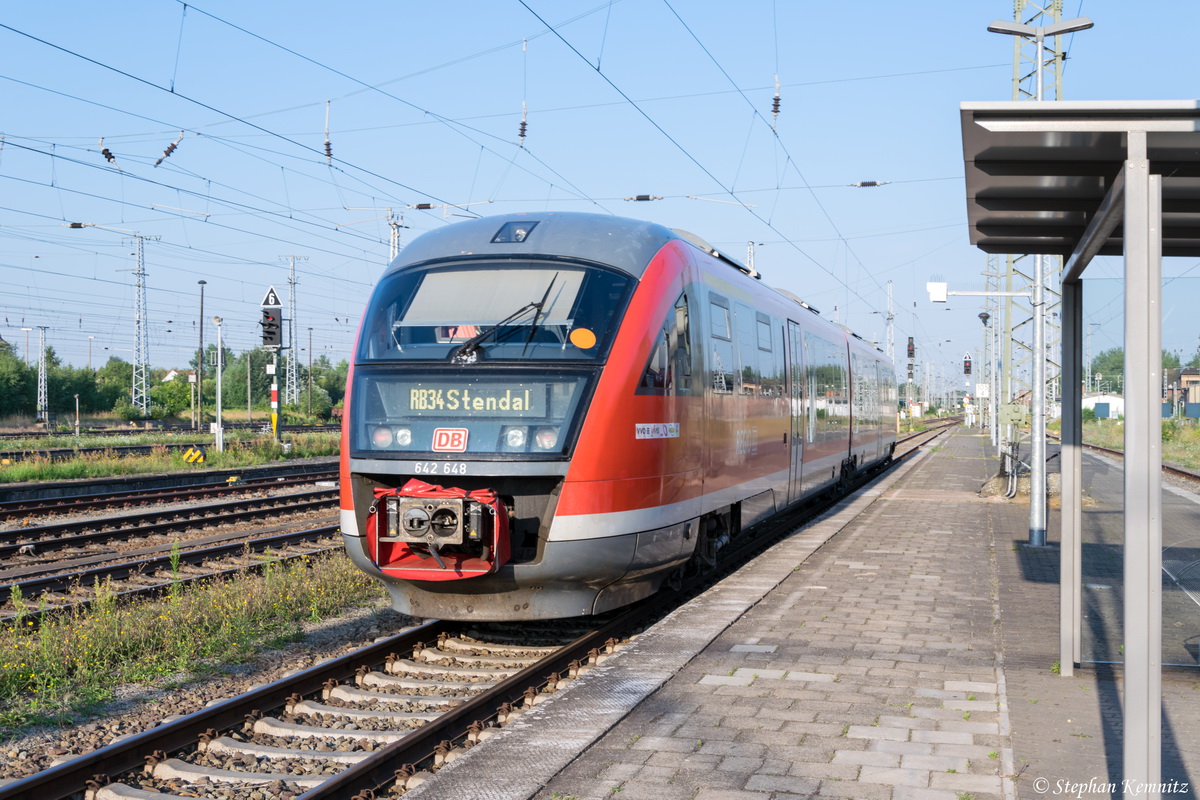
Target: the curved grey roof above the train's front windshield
(626, 244)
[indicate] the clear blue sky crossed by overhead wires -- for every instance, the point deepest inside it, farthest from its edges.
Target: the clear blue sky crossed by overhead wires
(424, 106)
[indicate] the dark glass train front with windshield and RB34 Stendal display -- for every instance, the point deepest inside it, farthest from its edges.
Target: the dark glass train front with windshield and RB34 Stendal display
(483, 359)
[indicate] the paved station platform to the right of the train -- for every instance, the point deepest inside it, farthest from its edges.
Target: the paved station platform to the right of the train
(901, 648)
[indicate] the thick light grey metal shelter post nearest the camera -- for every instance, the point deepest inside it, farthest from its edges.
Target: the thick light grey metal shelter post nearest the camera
(1143, 476)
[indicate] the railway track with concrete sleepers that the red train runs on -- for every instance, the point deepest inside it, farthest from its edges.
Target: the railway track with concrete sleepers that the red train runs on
(381, 720)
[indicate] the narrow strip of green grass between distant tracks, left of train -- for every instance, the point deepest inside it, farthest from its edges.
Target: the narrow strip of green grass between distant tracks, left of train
(242, 450)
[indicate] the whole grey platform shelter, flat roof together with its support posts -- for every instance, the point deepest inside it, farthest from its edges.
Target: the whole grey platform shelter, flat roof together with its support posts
(1079, 181)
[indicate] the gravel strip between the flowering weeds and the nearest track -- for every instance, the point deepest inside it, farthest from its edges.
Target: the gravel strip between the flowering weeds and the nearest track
(140, 708)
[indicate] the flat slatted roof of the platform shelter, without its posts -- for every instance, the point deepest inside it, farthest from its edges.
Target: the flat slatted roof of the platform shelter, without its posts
(1037, 172)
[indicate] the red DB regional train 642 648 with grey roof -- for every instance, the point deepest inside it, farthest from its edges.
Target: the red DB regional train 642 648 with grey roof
(553, 414)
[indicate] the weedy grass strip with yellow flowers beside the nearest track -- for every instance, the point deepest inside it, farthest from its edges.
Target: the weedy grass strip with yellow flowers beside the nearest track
(71, 663)
